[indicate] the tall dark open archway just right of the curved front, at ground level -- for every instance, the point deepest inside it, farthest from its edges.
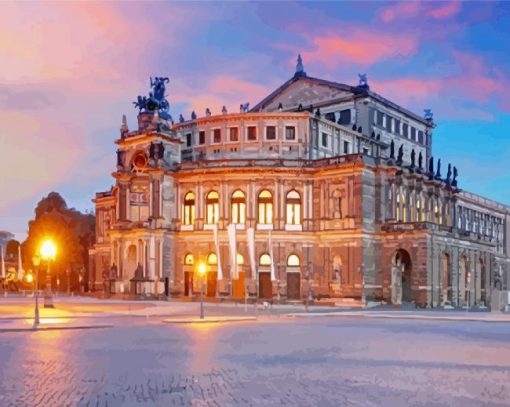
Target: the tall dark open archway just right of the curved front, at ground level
(401, 270)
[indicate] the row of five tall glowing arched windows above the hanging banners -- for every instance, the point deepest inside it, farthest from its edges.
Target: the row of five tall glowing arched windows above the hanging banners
(265, 213)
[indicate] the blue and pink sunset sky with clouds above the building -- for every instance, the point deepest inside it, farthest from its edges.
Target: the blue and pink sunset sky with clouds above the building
(70, 70)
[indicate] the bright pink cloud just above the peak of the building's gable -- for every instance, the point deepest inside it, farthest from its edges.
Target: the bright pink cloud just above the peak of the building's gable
(358, 46)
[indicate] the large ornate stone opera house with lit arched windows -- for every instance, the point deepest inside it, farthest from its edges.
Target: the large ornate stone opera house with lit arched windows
(332, 192)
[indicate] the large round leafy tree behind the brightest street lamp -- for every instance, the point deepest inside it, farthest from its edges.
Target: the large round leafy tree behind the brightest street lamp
(71, 231)
